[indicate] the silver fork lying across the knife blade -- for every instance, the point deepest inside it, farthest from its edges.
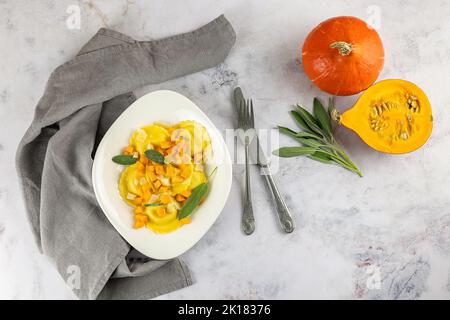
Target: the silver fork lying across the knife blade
(246, 124)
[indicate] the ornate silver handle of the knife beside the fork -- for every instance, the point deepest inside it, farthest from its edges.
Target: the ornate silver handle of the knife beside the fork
(284, 215)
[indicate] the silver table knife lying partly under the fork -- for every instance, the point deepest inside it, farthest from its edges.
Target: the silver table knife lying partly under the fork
(284, 215)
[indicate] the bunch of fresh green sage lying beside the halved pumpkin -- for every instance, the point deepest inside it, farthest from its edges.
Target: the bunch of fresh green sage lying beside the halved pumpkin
(317, 138)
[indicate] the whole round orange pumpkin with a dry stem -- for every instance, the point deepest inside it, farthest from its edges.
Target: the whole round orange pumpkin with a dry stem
(343, 56)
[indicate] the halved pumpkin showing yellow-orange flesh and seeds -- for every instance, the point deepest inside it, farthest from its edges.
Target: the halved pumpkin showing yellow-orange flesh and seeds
(392, 116)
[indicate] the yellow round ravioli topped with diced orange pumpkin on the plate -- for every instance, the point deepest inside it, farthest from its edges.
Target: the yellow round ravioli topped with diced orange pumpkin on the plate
(157, 191)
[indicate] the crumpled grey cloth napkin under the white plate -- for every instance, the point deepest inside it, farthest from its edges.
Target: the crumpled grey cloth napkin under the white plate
(82, 99)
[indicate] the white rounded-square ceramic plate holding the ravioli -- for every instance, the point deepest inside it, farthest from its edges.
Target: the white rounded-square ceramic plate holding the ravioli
(169, 107)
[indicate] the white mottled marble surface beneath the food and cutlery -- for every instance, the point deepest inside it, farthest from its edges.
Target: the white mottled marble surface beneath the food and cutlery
(395, 220)
